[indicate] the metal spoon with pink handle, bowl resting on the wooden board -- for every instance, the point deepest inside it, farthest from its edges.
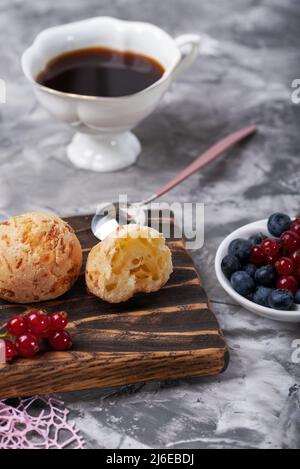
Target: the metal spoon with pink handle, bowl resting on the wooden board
(109, 217)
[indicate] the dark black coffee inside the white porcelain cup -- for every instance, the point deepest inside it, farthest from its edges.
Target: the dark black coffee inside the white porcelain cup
(100, 72)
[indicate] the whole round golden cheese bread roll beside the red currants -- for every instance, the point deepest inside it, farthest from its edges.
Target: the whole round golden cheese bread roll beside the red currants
(40, 258)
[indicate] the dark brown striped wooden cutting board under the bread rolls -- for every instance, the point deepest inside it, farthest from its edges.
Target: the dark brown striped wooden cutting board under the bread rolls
(164, 335)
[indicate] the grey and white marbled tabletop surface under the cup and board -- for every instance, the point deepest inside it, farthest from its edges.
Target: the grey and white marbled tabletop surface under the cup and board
(256, 402)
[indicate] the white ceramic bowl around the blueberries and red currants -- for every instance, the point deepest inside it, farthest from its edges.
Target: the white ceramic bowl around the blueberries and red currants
(292, 315)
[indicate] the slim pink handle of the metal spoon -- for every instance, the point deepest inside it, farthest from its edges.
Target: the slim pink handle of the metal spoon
(206, 157)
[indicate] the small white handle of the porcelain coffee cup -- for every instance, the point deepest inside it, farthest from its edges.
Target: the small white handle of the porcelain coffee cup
(186, 41)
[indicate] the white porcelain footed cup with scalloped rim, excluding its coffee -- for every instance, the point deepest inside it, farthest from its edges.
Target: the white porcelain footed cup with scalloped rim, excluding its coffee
(104, 141)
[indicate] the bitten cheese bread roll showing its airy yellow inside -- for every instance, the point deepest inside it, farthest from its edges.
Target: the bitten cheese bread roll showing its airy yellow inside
(134, 258)
